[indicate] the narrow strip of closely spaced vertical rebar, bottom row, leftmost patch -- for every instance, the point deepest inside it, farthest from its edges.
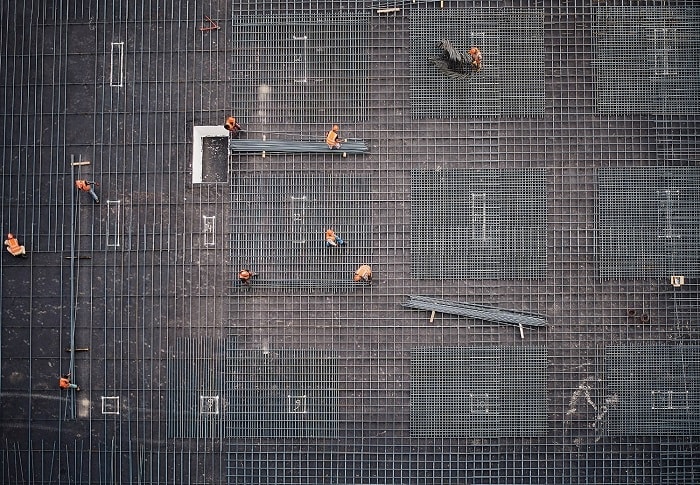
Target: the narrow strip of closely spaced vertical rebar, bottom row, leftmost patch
(195, 387)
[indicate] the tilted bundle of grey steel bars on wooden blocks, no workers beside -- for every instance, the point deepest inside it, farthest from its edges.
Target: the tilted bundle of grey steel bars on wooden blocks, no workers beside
(477, 312)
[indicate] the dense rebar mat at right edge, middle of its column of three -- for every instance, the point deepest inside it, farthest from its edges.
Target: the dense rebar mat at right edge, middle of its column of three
(649, 221)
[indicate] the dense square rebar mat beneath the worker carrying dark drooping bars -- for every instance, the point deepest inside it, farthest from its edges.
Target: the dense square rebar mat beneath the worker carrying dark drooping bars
(510, 81)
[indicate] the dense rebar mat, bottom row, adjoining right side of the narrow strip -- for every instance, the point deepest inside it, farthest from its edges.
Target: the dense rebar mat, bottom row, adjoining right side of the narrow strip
(282, 394)
